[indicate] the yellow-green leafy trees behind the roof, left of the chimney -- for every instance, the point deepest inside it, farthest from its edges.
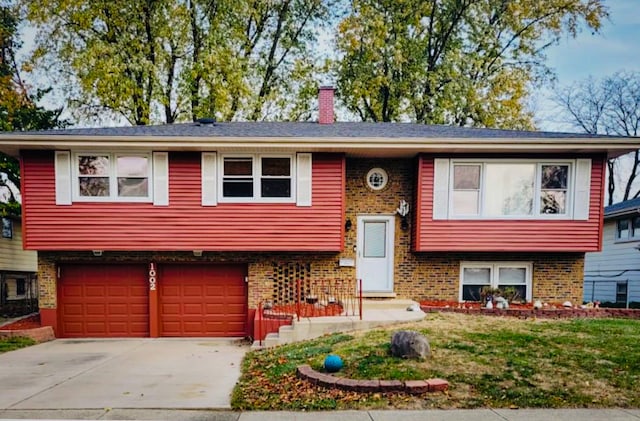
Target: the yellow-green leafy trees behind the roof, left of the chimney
(230, 59)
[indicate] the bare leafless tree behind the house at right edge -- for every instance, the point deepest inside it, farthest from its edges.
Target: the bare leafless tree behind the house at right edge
(609, 106)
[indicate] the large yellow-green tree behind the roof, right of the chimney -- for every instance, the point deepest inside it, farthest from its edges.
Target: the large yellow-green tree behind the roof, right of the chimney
(462, 62)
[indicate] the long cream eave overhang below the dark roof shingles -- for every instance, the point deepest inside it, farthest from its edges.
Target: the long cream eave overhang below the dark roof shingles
(12, 143)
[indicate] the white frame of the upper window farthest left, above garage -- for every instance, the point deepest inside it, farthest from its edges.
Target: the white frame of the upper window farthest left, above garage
(112, 176)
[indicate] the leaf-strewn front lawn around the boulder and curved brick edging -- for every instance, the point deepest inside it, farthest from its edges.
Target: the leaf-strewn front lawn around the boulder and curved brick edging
(488, 361)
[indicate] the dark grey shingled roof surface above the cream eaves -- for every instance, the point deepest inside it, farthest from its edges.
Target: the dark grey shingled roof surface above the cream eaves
(310, 130)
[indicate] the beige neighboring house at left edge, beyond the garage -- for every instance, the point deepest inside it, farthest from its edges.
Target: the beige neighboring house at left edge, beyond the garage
(18, 267)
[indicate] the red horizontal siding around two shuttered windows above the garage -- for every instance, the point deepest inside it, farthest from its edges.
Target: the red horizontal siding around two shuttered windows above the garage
(185, 224)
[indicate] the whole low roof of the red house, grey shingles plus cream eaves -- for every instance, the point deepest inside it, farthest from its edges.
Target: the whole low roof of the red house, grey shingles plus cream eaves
(353, 138)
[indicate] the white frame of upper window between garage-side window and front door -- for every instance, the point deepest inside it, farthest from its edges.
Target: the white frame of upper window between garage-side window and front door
(256, 159)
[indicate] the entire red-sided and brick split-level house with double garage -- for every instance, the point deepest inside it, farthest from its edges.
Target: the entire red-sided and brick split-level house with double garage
(180, 230)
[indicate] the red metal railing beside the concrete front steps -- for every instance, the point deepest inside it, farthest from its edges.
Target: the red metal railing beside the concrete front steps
(319, 298)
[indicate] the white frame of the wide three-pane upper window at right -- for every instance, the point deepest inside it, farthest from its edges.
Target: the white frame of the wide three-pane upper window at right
(537, 187)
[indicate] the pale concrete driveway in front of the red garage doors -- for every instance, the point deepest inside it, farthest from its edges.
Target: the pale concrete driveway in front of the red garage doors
(121, 373)
